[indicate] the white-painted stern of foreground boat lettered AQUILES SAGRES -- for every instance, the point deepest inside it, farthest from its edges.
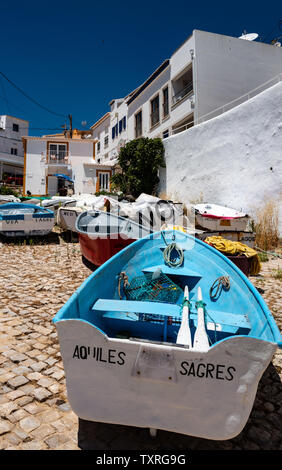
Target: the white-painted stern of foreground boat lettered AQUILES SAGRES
(205, 394)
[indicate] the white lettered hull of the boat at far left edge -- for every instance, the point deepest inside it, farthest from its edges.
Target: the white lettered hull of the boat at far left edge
(28, 226)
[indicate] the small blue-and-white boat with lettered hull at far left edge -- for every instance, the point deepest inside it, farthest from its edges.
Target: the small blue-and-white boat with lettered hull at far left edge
(20, 220)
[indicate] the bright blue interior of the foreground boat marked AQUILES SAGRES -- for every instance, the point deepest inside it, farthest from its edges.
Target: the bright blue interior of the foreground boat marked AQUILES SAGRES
(146, 296)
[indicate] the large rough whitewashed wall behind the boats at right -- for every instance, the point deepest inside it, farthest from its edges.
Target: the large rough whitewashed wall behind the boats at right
(234, 159)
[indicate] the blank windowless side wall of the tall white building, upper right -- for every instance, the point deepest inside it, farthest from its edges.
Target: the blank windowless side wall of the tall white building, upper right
(226, 68)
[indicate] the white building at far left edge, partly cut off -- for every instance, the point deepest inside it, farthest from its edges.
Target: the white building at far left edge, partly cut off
(12, 130)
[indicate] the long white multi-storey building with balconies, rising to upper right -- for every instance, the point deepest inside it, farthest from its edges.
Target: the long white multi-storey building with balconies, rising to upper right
(205, 73)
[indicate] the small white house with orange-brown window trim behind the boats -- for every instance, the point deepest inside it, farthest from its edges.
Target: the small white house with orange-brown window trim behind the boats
(74, 157)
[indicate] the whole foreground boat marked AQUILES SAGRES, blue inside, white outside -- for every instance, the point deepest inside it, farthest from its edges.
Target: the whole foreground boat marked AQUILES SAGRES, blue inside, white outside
(167, 334)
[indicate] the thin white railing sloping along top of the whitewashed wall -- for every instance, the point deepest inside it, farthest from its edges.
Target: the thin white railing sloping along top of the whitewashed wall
(231, 104)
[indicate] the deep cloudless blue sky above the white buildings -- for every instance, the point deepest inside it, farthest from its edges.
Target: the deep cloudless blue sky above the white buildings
(74, 57)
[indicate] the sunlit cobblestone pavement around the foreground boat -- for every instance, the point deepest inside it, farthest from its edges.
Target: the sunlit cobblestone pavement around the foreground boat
(36, 280)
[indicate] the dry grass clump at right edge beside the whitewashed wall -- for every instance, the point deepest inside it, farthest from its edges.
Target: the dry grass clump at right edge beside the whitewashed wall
(266, 226)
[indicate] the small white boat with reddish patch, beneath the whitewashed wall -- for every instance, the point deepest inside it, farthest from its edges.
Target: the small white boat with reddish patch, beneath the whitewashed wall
(214, 217)
